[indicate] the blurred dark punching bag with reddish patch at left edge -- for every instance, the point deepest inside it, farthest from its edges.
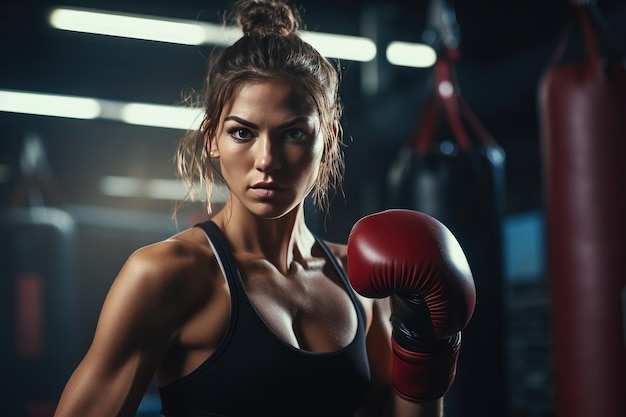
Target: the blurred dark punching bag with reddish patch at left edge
(42, 334)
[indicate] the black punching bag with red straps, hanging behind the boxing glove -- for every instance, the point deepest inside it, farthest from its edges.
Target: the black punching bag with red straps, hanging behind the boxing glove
(460, 181)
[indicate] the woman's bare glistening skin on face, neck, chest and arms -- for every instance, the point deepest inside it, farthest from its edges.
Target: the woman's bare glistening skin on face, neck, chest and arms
(167, 309)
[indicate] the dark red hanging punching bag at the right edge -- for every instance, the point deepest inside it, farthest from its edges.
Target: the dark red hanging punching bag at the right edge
(583, 118)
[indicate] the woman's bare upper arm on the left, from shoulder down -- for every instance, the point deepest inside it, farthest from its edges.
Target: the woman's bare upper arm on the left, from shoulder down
(137, 323)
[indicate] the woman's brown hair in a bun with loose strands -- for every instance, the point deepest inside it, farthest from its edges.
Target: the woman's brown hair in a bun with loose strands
(270, 48)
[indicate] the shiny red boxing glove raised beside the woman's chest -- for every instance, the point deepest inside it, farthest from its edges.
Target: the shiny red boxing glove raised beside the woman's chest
(415, 259)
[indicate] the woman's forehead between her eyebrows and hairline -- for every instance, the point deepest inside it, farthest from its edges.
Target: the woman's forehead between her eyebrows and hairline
(272, 95)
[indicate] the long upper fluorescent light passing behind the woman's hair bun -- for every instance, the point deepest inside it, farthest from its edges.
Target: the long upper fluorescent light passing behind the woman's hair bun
(188, 32)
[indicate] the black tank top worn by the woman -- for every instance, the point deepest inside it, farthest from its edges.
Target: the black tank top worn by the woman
(255, 373)
